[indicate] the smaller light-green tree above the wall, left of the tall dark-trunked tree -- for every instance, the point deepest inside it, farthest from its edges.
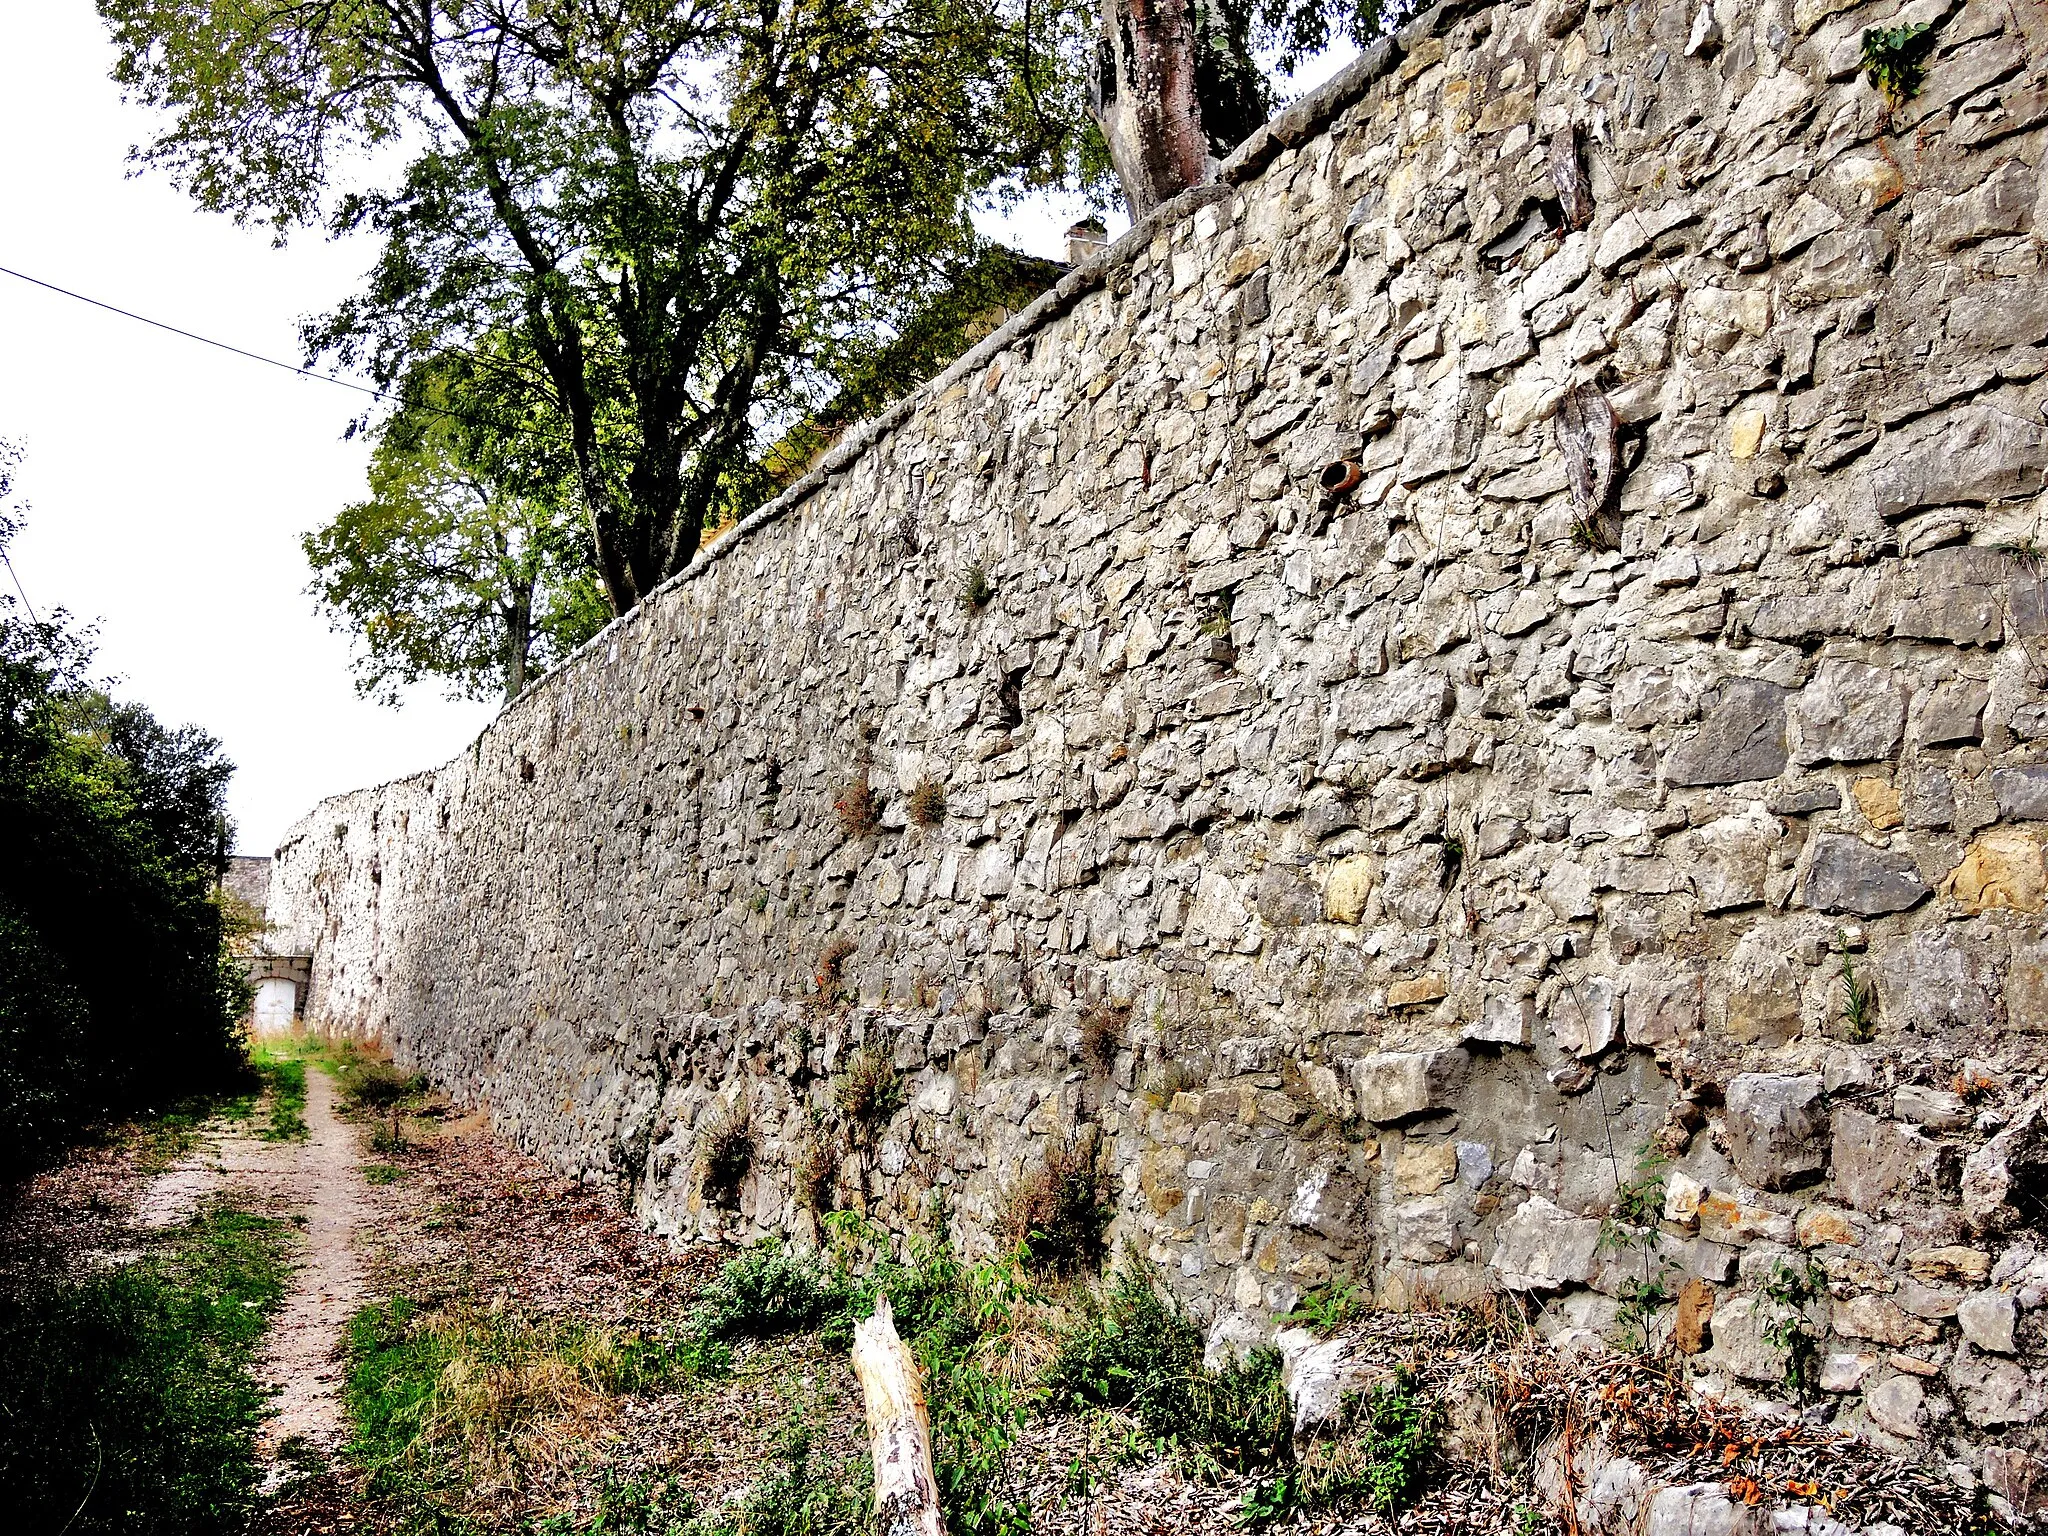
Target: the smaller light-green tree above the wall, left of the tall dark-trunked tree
(468, 562)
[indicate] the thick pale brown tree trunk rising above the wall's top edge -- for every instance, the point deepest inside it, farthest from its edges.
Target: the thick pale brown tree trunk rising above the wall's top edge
(1175, 91)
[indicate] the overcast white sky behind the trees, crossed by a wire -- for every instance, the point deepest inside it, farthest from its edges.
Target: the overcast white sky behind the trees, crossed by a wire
(169, 482)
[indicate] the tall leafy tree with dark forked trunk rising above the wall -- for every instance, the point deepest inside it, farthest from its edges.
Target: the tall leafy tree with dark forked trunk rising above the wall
(691, 212)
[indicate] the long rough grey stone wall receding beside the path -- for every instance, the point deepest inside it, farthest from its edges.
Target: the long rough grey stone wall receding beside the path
(1631, 787)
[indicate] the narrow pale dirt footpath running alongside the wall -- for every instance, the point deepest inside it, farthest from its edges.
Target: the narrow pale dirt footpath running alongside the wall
(302, 1353)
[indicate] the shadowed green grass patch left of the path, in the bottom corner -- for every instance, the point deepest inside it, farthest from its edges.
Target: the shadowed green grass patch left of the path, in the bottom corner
(126, 1402)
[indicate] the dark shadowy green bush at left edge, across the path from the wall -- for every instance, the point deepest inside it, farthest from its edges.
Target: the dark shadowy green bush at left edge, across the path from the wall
(118, 988)
